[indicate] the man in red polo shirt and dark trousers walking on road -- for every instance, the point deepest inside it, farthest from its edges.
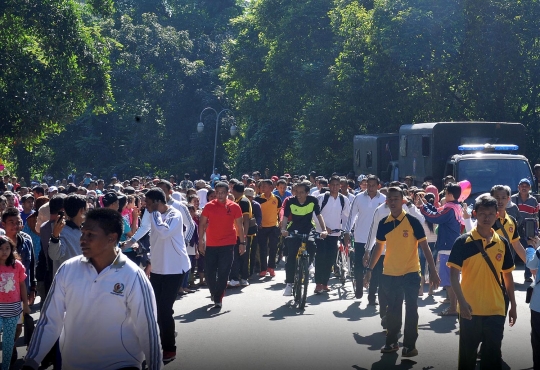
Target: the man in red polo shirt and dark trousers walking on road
(219, 221)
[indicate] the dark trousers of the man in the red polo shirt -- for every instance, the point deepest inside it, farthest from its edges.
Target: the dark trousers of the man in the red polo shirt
(218, 262)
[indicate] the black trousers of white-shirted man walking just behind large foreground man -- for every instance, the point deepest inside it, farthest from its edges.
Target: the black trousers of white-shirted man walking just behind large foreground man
(166, 289)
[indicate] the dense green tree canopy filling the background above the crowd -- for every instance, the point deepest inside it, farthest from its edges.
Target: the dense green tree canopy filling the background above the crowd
(116, 87)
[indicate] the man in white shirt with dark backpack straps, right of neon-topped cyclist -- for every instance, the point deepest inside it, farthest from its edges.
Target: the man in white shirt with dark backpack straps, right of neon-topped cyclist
(335, 210)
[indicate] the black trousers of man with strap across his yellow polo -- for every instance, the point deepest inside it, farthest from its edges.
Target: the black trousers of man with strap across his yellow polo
(485, 329)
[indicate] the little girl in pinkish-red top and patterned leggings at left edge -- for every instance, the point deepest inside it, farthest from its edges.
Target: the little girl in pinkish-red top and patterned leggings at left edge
(12, 292)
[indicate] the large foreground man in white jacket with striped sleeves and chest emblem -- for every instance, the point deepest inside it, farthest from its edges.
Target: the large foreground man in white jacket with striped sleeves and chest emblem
(120, 331)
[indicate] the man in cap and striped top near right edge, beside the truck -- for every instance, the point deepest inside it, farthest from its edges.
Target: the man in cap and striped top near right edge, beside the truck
(528, 208)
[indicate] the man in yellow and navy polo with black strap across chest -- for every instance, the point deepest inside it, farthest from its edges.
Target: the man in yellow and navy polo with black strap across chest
(480, 293)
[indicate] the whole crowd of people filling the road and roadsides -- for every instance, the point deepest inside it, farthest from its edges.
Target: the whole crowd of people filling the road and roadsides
(136, 245)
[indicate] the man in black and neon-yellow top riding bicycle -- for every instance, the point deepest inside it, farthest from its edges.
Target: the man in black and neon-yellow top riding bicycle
(301, 207)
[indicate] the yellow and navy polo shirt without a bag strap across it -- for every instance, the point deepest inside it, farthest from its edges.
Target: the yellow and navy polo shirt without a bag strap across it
(401, 235)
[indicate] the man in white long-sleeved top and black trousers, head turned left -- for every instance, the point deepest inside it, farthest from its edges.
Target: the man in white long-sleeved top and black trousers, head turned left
(168, 263)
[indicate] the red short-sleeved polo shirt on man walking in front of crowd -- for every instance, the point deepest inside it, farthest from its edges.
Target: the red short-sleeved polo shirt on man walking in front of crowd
(220, 230)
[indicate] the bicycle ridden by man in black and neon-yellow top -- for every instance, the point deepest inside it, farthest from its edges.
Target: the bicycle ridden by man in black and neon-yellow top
(301, 275)
